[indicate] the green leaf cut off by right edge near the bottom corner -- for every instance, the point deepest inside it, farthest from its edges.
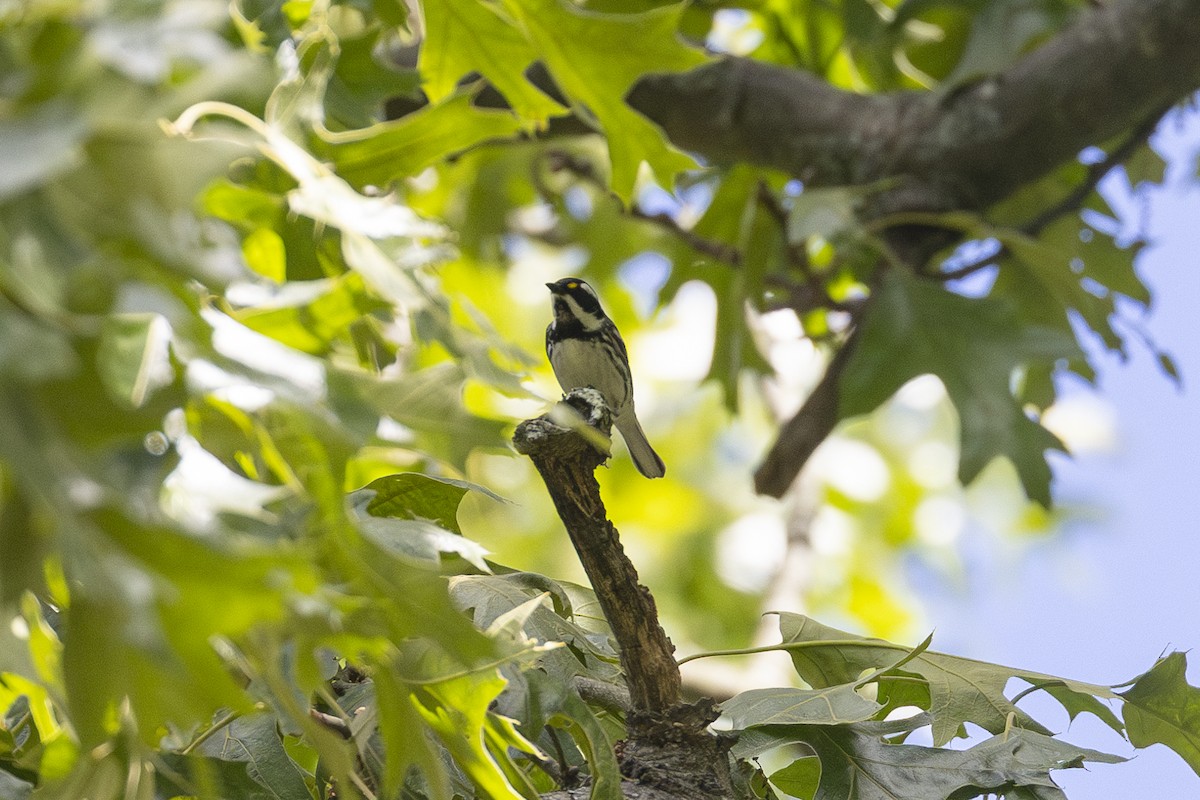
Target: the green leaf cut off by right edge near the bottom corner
(1163, 708)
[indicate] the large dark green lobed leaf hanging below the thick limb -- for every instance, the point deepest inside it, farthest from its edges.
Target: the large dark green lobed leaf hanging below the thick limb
(974, 346)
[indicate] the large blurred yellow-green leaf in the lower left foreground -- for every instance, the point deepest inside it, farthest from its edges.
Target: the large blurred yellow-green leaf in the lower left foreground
(147, 603)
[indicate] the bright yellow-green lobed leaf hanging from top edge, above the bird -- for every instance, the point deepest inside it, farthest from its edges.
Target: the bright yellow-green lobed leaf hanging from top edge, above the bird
(578, 47)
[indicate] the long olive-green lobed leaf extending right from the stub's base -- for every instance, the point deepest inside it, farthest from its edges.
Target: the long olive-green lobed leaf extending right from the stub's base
(961, 690)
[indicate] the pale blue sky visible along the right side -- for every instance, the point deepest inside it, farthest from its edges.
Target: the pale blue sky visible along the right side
(1121, 586)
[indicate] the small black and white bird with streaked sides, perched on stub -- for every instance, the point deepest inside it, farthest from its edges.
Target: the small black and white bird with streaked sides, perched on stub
(586, 350)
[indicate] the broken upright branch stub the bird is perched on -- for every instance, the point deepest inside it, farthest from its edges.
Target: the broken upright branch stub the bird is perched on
(669, 745)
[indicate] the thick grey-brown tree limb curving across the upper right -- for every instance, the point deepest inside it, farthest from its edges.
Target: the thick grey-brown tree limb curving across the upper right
(968, 149)
